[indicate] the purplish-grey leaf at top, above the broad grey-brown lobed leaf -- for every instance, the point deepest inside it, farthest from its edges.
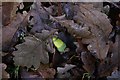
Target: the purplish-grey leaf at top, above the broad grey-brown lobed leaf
(39, 18)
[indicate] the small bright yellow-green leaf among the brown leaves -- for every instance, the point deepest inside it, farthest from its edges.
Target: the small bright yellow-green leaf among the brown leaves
(59, 44)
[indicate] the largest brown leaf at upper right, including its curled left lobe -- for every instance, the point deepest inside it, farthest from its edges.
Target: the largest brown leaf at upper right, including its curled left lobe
(94, 29)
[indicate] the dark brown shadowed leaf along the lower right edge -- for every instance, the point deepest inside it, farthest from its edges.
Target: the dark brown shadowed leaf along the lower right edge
(106, 69)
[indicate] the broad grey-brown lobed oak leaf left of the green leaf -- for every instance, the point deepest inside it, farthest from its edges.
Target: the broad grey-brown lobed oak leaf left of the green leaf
(33, 51)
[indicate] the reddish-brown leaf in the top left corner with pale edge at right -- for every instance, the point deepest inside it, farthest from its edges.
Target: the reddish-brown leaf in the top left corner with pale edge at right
(8, 12)
